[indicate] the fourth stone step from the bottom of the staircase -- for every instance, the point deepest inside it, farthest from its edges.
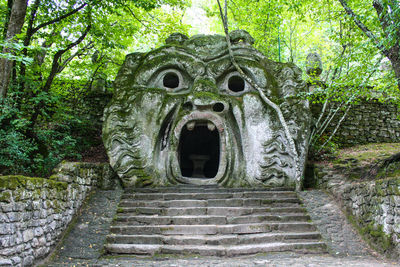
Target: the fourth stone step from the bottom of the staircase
(208, 219)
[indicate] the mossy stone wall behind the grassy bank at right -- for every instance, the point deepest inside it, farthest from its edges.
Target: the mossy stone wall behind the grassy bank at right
(367, 122)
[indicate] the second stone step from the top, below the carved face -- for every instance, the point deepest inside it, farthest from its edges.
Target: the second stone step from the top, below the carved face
(209, 195)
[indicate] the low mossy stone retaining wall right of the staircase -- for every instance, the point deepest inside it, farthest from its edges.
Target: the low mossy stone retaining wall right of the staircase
(374, 206)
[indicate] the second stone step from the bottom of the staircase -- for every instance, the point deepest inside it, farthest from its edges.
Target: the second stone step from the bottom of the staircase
(229, 239)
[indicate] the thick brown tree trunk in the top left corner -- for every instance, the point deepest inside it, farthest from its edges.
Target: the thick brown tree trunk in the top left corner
(14, 26)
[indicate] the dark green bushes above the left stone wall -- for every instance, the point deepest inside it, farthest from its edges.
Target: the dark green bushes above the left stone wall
(64, 137)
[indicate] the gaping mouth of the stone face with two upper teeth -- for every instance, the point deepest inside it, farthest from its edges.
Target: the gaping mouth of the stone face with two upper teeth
(199, 156)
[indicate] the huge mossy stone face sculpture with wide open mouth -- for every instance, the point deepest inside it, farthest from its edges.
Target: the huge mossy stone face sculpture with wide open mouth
(182, 114)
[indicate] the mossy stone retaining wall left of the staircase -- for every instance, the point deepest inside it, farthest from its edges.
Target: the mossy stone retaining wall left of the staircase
(34, 212)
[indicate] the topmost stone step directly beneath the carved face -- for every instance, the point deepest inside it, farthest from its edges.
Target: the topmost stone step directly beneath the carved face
(203, 189)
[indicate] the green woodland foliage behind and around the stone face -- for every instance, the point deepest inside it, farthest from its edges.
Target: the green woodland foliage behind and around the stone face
(40, 119)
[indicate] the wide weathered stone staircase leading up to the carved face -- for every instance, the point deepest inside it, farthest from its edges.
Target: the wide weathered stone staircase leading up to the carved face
(211, 221)
